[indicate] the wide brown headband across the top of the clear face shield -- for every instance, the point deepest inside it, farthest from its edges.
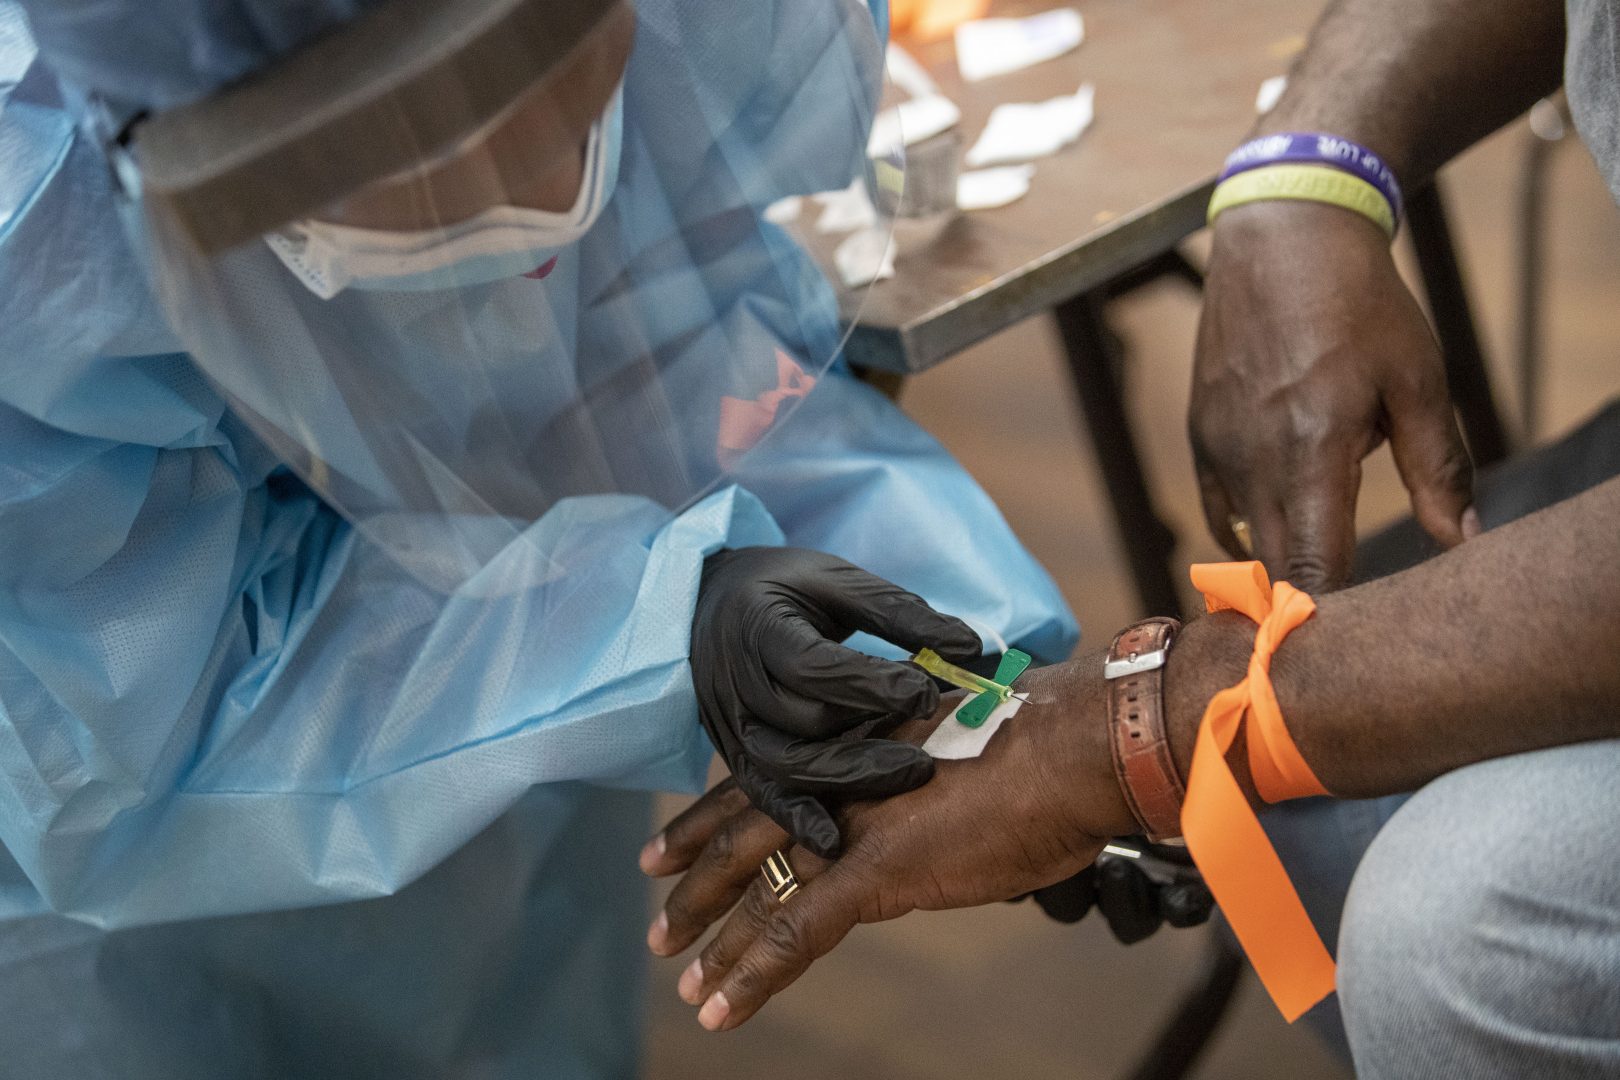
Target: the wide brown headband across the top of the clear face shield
(369, 101)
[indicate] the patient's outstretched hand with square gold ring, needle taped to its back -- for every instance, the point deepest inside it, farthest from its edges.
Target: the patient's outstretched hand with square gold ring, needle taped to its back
(1034, 809)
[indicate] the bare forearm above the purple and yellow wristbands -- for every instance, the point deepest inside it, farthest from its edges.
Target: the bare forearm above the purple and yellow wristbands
(1422, 80)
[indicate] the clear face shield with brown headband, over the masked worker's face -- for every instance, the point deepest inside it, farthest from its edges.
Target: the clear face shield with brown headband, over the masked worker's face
(467, 261)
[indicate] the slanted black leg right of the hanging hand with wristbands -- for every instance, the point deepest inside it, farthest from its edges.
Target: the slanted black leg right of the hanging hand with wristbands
(1454, 325)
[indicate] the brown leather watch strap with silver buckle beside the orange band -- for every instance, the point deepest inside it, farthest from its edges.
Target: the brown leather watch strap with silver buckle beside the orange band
(1136, 720)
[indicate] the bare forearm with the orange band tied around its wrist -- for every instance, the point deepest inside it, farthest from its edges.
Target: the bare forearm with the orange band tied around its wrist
(1504, 645)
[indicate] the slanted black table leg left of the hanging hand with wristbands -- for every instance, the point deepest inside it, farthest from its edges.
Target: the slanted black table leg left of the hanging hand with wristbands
(1146, 540)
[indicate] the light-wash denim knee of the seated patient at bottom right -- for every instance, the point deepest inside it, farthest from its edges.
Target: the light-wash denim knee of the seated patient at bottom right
(1481, 937)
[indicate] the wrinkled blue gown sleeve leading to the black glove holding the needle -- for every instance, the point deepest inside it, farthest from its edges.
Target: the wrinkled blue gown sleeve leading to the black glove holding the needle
(218, 699)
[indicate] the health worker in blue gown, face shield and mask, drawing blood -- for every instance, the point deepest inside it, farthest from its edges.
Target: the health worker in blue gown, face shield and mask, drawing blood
(377, 378)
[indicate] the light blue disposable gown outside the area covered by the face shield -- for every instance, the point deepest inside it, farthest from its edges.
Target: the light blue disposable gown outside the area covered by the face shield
(220, 856)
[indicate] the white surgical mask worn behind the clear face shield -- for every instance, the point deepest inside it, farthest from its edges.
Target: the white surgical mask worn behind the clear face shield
(495, 245)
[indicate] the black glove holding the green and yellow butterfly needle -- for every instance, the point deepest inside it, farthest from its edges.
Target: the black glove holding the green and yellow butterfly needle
(777, 689)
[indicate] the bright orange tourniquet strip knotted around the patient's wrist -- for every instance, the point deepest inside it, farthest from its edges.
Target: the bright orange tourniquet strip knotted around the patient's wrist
(1222, 833)
